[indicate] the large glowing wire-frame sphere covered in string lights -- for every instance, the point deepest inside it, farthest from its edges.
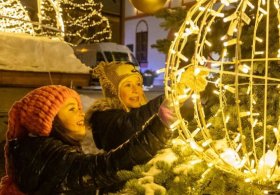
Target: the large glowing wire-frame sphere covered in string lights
(238, 42)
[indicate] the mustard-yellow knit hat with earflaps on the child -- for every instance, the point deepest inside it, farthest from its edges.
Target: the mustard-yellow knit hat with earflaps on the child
(111, 75)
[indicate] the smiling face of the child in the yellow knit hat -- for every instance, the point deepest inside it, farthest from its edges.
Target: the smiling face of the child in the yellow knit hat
(131, 92)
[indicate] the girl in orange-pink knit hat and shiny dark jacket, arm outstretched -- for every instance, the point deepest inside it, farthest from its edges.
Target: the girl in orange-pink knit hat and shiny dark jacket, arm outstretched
(43, 154)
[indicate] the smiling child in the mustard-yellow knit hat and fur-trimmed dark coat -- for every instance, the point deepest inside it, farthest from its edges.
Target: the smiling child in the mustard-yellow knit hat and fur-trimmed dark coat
(124, 110)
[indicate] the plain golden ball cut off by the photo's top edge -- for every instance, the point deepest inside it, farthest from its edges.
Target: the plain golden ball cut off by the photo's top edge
(148, 6)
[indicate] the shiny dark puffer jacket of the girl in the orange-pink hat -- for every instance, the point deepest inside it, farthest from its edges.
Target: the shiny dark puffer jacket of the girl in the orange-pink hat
(46, 165)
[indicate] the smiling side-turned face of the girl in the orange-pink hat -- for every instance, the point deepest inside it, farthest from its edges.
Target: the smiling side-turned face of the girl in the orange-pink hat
(72, 119)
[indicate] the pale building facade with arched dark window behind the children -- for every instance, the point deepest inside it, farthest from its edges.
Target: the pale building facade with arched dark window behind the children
(143, 30)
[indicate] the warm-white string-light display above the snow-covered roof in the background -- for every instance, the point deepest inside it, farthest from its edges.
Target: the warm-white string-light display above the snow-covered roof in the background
(73, 21)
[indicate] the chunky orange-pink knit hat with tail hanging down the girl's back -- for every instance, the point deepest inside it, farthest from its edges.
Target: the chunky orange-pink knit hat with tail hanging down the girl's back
(34, 114)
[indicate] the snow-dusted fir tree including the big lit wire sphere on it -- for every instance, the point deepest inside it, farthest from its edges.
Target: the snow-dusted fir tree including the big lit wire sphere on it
(231, 144)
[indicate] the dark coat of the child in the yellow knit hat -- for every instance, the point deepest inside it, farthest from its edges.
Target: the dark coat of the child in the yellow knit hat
(112, 127)
